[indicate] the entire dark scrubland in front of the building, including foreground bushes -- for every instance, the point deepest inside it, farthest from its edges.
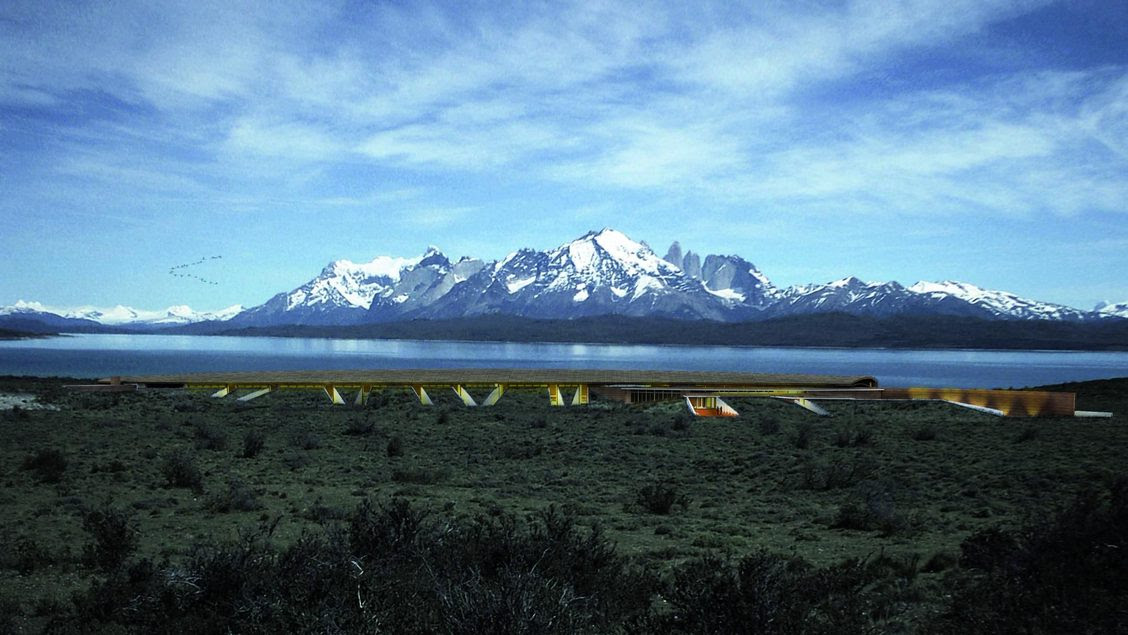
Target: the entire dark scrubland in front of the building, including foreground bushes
(171, 511)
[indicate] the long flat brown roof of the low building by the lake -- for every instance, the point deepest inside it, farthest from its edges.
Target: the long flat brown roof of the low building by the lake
(513, 377)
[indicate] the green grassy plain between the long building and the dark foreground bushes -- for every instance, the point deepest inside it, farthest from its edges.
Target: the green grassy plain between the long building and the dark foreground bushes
(898, 483)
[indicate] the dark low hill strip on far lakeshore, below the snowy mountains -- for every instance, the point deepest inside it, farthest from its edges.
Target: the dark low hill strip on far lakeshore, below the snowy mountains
(819, 330)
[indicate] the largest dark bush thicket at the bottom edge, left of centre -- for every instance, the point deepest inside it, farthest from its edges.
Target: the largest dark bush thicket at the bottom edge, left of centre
(391, 568)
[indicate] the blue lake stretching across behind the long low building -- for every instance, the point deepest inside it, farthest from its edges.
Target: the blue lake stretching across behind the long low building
(104, 356)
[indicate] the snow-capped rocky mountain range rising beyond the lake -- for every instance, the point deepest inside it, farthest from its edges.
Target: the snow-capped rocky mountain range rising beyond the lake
(602, 274)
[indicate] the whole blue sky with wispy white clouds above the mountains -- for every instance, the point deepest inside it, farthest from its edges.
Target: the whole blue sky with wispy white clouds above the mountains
(984, 142)
